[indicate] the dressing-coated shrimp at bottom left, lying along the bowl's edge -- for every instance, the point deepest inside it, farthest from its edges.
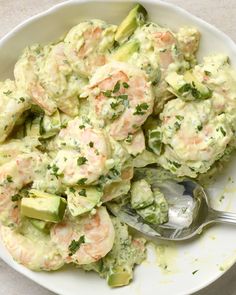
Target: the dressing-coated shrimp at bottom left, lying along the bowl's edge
(34, 251)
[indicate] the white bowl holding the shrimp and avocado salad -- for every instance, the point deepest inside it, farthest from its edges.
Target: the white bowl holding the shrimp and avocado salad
(213, 252)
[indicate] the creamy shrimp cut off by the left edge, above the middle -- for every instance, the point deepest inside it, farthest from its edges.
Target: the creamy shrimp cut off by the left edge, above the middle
(13, 103)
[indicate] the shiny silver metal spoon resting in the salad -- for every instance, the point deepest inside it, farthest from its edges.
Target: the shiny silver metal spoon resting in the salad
(189, 212)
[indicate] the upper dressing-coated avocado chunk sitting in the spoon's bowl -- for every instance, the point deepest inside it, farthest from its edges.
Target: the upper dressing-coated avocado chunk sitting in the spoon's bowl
(141, 194)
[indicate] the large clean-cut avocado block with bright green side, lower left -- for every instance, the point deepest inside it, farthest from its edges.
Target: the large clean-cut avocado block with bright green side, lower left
(46, 208)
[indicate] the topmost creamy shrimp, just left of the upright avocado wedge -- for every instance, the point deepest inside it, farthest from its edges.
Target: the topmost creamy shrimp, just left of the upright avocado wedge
(87, 45)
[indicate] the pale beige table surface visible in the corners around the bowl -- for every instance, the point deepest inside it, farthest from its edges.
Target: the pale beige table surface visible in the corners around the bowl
(221, 13)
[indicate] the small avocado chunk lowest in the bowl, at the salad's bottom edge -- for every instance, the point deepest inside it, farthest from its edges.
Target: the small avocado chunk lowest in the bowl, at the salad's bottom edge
(119, 277)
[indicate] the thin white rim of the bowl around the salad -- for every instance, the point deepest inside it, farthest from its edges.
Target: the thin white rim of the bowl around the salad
(181, 11)
